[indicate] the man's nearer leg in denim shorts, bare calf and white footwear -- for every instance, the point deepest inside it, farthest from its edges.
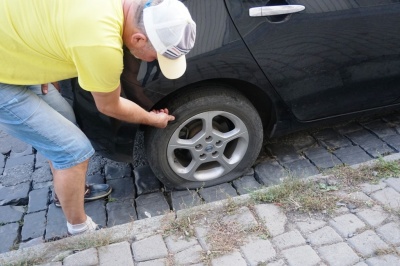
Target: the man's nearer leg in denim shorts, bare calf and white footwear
(25, 116)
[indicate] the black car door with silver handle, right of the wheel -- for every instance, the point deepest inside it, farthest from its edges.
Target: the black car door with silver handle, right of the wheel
(329, 57)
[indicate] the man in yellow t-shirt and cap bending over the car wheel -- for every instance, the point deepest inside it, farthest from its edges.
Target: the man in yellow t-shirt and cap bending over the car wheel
(43, 41)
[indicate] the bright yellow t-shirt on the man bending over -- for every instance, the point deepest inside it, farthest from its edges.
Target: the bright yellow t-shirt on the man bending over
(44, 41)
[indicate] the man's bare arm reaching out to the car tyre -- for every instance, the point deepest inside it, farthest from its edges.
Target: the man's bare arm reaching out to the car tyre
(111, 104)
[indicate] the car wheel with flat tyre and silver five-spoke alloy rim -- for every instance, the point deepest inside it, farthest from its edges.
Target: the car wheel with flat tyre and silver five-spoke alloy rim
(215, 138)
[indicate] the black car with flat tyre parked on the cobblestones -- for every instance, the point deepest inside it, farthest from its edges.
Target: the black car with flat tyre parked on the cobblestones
(259, 69)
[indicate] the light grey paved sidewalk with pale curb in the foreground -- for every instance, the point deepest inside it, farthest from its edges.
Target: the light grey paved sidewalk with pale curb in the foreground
(238, 231)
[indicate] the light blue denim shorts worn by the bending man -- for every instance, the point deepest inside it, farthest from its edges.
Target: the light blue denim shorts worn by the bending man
(46, 122)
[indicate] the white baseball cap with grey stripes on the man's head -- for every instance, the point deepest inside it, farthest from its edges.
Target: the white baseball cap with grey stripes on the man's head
(172, 32)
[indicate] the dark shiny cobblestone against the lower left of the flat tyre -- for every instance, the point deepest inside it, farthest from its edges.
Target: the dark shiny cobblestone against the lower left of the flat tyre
(145, 180)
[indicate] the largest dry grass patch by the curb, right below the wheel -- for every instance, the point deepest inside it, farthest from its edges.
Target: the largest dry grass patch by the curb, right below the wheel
(299, 195)
